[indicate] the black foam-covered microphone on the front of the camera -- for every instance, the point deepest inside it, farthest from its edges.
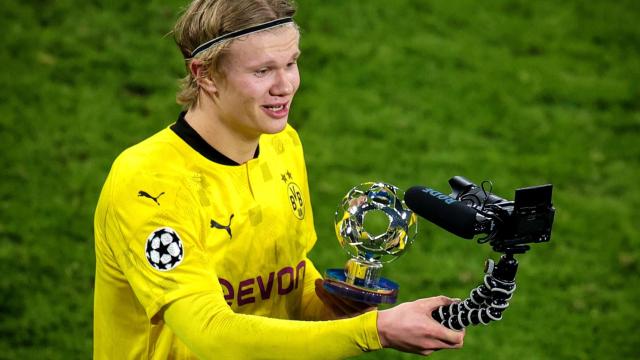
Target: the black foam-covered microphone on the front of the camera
(442, 210)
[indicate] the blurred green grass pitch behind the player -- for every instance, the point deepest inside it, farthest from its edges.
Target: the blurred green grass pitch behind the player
(407, 91)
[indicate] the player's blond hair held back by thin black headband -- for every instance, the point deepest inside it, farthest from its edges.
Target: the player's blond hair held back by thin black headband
(204, 20)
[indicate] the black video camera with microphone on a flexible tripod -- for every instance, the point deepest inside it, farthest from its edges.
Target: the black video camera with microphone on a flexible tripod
(509, 227)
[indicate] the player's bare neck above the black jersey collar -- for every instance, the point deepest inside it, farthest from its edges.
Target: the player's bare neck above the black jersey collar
(205, 120)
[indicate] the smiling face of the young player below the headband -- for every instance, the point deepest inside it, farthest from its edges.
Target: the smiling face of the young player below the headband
(260, 78)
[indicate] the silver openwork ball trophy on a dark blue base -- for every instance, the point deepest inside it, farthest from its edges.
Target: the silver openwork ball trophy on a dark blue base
(375, 227)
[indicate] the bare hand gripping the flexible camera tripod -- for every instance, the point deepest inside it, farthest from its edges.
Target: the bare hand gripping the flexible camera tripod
(409, 327)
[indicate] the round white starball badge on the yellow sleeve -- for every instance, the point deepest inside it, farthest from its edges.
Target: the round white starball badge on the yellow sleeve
(164, 250)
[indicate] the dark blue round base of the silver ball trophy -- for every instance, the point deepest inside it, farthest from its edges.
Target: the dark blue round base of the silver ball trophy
(385, 291)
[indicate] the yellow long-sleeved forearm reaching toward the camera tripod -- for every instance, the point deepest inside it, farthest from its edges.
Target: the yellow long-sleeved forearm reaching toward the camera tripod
(213, 331)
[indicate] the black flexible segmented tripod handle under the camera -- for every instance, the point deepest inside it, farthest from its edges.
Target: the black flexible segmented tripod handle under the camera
(487, 301)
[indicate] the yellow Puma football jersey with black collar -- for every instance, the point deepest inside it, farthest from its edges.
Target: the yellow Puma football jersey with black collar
(177, 218)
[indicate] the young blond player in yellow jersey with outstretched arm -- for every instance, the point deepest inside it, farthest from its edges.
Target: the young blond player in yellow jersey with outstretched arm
(202, 231)
